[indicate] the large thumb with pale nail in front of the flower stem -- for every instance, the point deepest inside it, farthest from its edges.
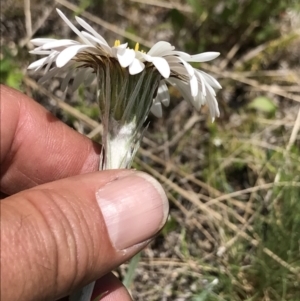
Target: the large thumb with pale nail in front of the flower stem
(67, 233)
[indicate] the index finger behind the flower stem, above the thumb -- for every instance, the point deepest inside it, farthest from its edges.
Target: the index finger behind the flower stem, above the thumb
(36, 147)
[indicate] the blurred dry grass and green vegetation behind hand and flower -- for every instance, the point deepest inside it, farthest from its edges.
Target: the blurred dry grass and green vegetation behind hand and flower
(233, 185)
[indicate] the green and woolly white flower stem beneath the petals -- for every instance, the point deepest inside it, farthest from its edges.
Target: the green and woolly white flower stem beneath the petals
(125, 101)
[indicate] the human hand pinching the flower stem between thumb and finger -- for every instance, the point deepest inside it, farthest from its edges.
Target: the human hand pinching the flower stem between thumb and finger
(63, 224)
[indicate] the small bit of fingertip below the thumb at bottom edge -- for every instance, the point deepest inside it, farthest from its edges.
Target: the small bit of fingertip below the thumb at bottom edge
(110, 288)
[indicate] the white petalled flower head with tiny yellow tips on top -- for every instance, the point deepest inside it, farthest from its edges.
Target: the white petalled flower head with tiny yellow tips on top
(82, 60)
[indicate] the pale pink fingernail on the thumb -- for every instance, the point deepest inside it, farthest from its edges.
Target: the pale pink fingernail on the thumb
(134, 209)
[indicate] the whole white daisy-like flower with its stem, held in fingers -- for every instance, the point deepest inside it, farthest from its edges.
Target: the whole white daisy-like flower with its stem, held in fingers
(130, 83)
